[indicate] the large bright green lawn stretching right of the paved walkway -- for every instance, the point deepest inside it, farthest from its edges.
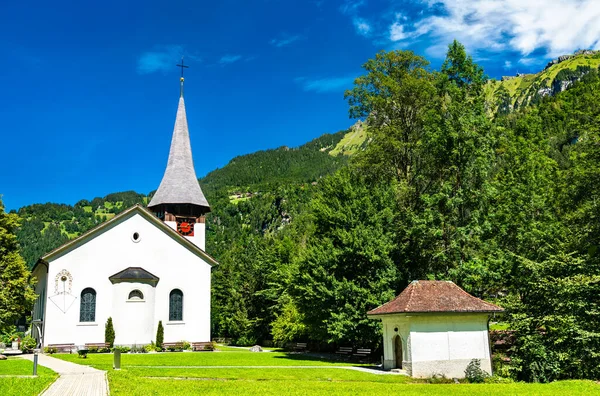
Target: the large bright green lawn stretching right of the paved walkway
(139, 377)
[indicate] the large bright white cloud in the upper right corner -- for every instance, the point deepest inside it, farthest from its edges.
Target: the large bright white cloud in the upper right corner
(525, 26)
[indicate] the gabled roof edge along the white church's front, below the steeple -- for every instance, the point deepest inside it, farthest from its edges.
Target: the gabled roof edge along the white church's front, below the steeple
(99, 229)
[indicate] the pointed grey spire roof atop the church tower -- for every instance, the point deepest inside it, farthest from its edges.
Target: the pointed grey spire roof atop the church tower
(179, 184)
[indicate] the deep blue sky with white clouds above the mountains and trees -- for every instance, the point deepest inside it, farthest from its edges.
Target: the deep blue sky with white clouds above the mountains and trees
(90, 89)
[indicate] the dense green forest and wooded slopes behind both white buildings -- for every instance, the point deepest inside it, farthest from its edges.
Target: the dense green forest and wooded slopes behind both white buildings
(450, 185)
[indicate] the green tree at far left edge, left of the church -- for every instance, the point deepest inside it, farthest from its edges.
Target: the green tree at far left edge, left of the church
(16, 286)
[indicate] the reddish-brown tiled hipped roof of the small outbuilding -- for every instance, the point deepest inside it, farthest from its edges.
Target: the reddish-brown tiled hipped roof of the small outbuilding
(434, 296)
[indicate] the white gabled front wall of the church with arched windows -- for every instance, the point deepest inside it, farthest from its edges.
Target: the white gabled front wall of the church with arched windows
(110, 252)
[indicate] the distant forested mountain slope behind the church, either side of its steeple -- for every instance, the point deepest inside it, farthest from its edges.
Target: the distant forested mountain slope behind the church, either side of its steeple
(258, 175)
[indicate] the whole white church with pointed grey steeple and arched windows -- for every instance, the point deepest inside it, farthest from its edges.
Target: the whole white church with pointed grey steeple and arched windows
(143, 266)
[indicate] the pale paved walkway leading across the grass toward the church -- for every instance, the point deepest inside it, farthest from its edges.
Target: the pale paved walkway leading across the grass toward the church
(75, 379)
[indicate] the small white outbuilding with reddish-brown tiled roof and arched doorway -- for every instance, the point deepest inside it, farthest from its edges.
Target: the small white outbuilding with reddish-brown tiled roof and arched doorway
(435, 328)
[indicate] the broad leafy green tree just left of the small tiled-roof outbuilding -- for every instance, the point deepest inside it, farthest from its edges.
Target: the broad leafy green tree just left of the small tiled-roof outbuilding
(347, 267)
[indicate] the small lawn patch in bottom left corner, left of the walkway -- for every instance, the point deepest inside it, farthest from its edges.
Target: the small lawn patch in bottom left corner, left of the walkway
(23, 386)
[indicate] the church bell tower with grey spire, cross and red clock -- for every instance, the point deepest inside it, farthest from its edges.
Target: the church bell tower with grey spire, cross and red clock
(179, 200)
